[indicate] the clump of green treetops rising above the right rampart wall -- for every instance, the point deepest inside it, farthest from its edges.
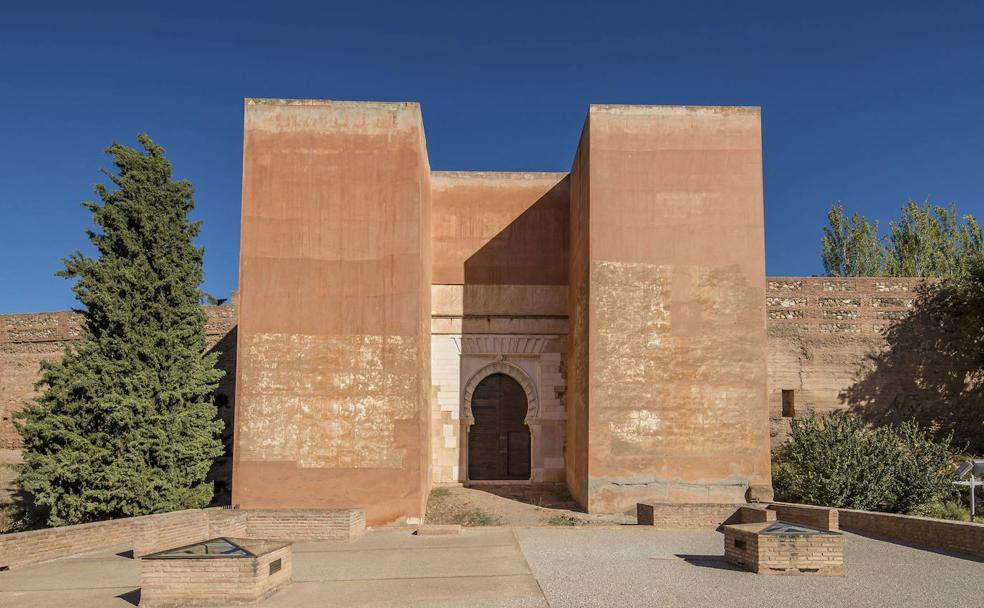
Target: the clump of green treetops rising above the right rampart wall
(926, 241)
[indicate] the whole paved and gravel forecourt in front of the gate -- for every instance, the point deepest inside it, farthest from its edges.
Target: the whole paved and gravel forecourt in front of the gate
(623, 566)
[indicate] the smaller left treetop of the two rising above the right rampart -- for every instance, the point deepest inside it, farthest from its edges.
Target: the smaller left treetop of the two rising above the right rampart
(850, 246)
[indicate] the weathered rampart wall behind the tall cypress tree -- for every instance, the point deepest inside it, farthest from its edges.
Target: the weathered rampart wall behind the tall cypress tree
(28, 339)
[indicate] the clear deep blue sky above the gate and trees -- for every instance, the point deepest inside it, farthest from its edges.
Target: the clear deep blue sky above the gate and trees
(870, 103)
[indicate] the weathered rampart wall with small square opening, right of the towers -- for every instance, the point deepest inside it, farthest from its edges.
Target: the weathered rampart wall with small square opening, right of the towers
(873, 346)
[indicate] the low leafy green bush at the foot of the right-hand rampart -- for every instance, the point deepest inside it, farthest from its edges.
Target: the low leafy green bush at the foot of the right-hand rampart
(840, 461)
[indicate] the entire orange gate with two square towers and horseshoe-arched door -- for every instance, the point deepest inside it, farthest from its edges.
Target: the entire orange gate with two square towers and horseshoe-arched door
(399, 326)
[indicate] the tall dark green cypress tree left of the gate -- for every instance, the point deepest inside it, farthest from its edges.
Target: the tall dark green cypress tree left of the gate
(125, 423)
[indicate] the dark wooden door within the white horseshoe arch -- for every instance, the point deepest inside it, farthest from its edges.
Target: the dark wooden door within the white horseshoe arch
(499, 440)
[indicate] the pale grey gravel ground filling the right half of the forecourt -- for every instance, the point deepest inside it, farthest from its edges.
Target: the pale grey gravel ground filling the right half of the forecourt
(633, 566)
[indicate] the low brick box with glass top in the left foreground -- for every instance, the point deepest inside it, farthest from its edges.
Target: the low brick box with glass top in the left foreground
(216, 572)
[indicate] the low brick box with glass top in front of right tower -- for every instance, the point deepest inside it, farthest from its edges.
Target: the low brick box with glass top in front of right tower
(784, 549)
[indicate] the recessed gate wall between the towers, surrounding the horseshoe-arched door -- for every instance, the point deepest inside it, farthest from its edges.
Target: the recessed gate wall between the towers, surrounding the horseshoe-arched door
(500, 275)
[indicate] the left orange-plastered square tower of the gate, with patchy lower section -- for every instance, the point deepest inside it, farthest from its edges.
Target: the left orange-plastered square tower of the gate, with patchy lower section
(335, 274)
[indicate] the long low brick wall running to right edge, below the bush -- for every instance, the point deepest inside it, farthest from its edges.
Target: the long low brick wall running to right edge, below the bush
(959, 536)
